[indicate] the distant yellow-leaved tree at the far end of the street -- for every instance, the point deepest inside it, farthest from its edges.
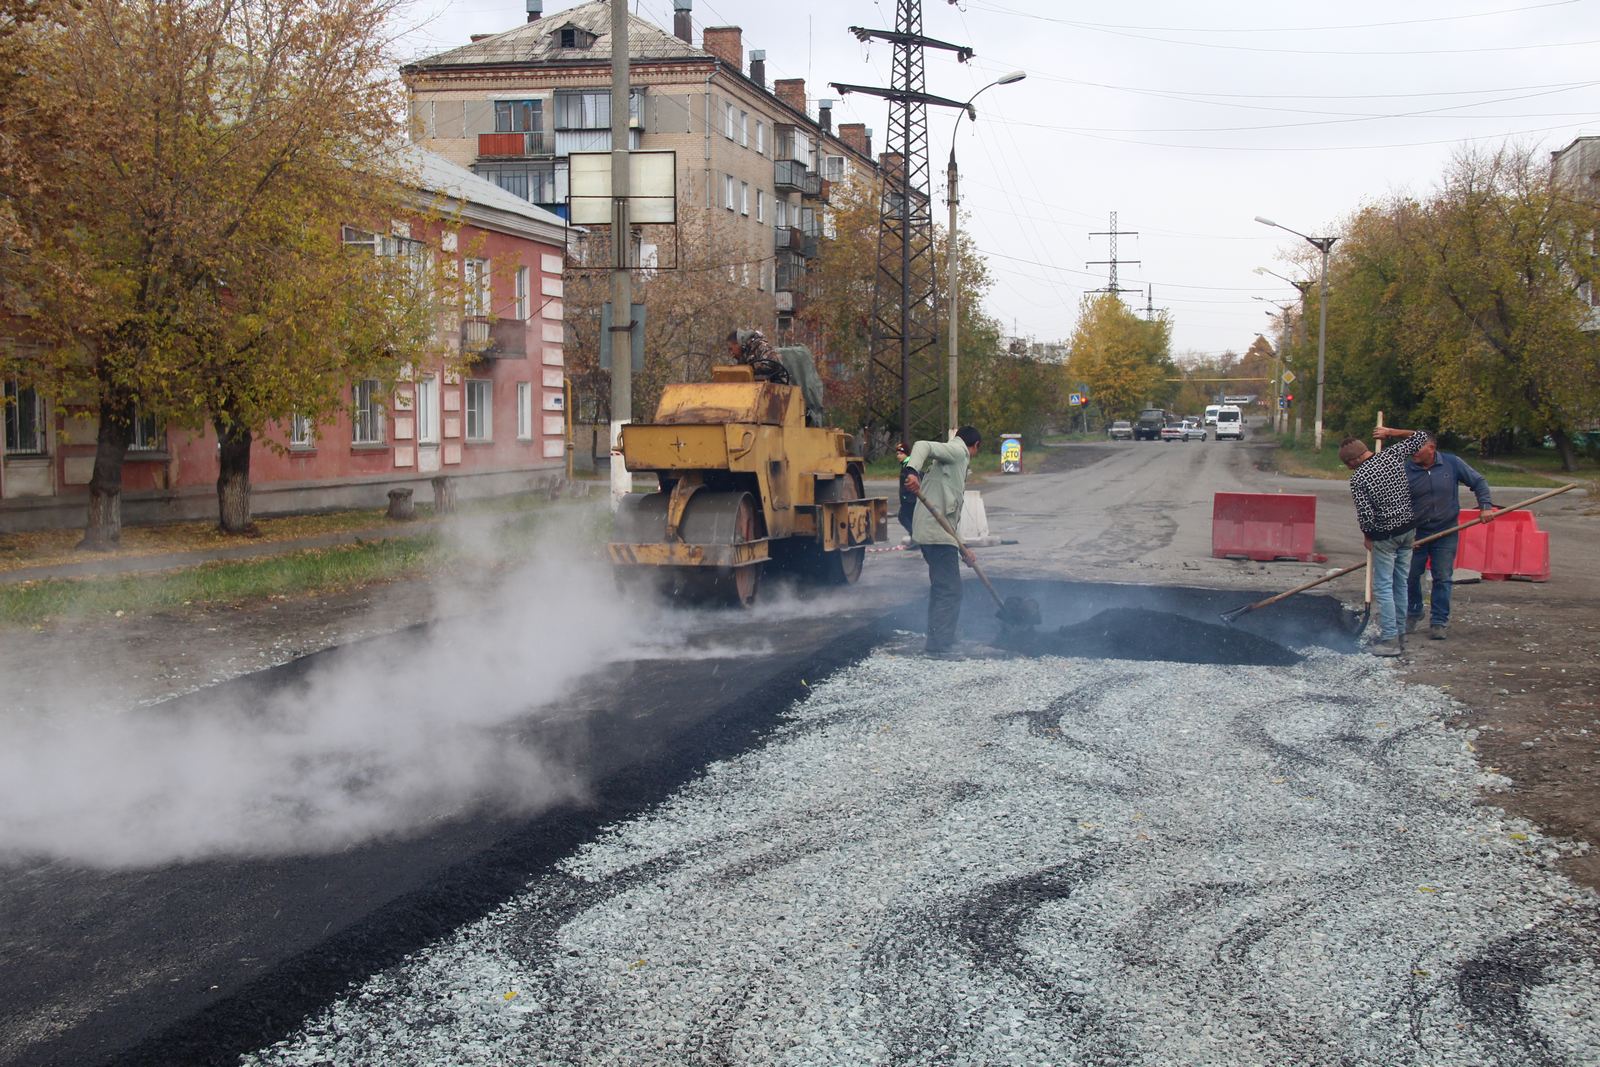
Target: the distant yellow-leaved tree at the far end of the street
(1124, 361)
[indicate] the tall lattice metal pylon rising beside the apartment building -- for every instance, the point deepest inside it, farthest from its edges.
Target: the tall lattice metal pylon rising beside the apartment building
(906, 370)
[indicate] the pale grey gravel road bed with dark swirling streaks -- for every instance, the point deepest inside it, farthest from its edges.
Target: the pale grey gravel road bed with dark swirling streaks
(1055, 861)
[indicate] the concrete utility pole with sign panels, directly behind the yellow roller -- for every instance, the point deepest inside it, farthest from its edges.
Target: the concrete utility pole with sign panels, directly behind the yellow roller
(622, 257)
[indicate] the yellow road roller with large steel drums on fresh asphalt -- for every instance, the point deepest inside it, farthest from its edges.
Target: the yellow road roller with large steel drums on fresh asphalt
(745, 484)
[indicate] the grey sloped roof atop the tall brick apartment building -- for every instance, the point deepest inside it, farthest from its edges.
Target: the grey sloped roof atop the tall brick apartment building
(542, 42)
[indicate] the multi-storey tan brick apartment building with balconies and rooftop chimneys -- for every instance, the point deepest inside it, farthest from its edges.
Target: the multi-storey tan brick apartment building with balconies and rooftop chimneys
(754, 166)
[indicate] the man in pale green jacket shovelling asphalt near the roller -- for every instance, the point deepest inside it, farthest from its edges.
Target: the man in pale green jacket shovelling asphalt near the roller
(938, 471)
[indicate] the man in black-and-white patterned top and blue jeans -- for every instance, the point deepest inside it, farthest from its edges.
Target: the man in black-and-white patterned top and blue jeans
(1383, 511)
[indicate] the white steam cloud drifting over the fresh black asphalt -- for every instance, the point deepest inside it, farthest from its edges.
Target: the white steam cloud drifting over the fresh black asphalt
(382, 740)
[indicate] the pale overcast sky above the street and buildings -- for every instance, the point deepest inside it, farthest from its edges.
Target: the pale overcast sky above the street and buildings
(1186, 119)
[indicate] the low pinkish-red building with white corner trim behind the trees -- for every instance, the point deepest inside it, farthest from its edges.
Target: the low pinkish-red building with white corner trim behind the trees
(495, 428)
